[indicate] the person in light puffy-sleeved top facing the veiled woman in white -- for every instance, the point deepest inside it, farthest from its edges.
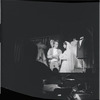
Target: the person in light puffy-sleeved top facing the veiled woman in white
(53, 56)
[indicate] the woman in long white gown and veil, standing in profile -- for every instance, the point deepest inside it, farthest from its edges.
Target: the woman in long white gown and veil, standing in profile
(66, 57)
